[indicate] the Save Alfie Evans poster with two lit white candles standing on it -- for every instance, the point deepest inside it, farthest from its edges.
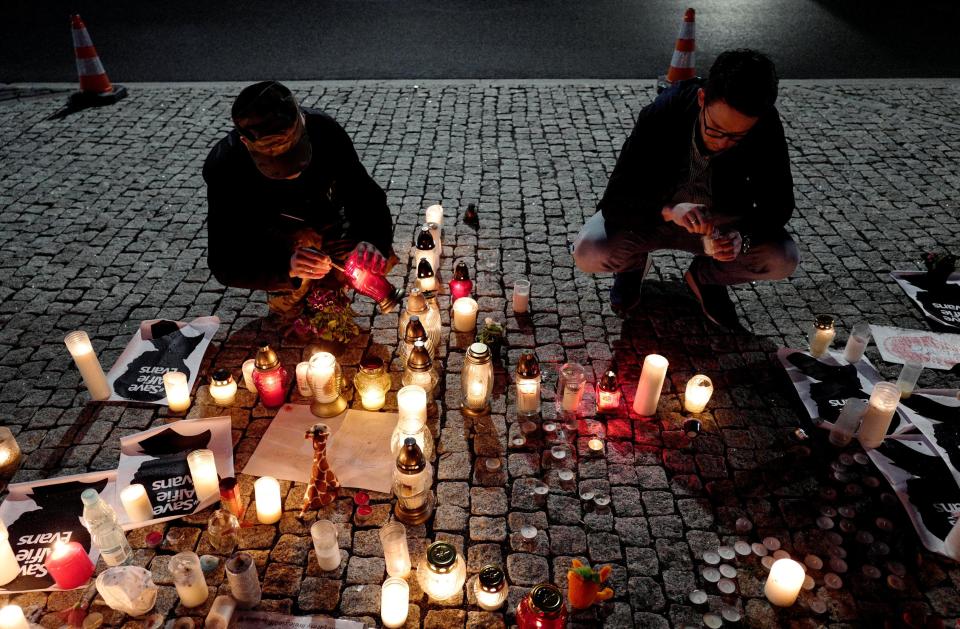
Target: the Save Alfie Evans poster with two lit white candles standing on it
(157, 459)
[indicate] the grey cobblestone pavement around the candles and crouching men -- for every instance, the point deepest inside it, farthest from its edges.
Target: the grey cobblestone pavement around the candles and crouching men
(102, 226)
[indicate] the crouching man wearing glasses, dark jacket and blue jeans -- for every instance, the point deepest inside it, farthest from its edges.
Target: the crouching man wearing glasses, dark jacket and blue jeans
(706, 171)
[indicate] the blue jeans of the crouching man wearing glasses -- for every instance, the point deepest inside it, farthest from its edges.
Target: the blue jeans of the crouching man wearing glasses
(773, 258)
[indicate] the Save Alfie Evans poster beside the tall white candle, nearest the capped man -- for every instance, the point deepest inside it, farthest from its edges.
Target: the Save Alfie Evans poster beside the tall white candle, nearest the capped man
(160, 346)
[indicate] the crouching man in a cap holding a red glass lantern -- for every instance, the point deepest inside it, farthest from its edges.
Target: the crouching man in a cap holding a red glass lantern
(287, 197)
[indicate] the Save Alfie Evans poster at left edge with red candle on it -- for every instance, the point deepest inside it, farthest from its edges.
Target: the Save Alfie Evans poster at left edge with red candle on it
(41, 513)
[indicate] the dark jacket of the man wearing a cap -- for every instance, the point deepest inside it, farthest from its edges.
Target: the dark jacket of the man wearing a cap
(249, 240)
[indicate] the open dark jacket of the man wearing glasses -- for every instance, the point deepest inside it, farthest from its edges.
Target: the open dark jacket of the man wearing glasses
(751, 180)
